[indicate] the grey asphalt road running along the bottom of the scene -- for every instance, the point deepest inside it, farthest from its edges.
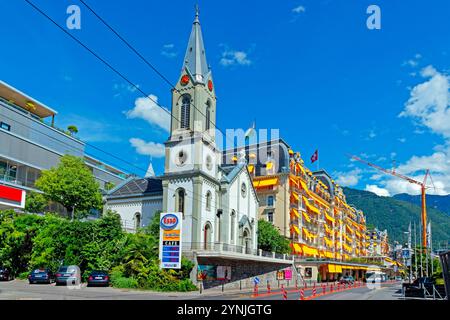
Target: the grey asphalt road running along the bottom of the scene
(21, 290)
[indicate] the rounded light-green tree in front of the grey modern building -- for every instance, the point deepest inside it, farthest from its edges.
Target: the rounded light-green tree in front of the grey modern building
(72, 185)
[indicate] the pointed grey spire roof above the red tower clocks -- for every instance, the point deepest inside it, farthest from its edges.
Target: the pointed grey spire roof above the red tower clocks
(195, 58)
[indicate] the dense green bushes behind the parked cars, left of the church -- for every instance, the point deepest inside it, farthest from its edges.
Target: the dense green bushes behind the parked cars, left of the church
(31, 241)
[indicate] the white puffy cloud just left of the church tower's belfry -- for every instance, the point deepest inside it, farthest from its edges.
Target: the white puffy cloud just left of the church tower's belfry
(147, 109)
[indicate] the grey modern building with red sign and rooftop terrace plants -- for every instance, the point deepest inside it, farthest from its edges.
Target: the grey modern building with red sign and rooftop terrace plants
(30, 142)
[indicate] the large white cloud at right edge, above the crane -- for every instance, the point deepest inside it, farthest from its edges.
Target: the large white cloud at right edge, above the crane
(429, 102)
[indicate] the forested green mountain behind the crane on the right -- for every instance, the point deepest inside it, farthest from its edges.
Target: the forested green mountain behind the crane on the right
(394, 215)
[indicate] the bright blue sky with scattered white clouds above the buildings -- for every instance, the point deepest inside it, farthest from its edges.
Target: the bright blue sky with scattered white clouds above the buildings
(309, 68)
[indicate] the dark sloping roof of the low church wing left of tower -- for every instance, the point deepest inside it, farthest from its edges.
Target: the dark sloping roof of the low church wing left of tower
(138, 186)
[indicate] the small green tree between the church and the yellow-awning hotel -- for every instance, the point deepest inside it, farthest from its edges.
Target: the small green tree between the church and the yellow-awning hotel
(270, 239)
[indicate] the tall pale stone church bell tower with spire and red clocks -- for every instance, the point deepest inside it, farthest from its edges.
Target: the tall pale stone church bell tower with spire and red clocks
(190, 183)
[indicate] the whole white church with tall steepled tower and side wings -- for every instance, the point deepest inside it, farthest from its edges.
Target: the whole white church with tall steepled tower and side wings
(218, 202)
